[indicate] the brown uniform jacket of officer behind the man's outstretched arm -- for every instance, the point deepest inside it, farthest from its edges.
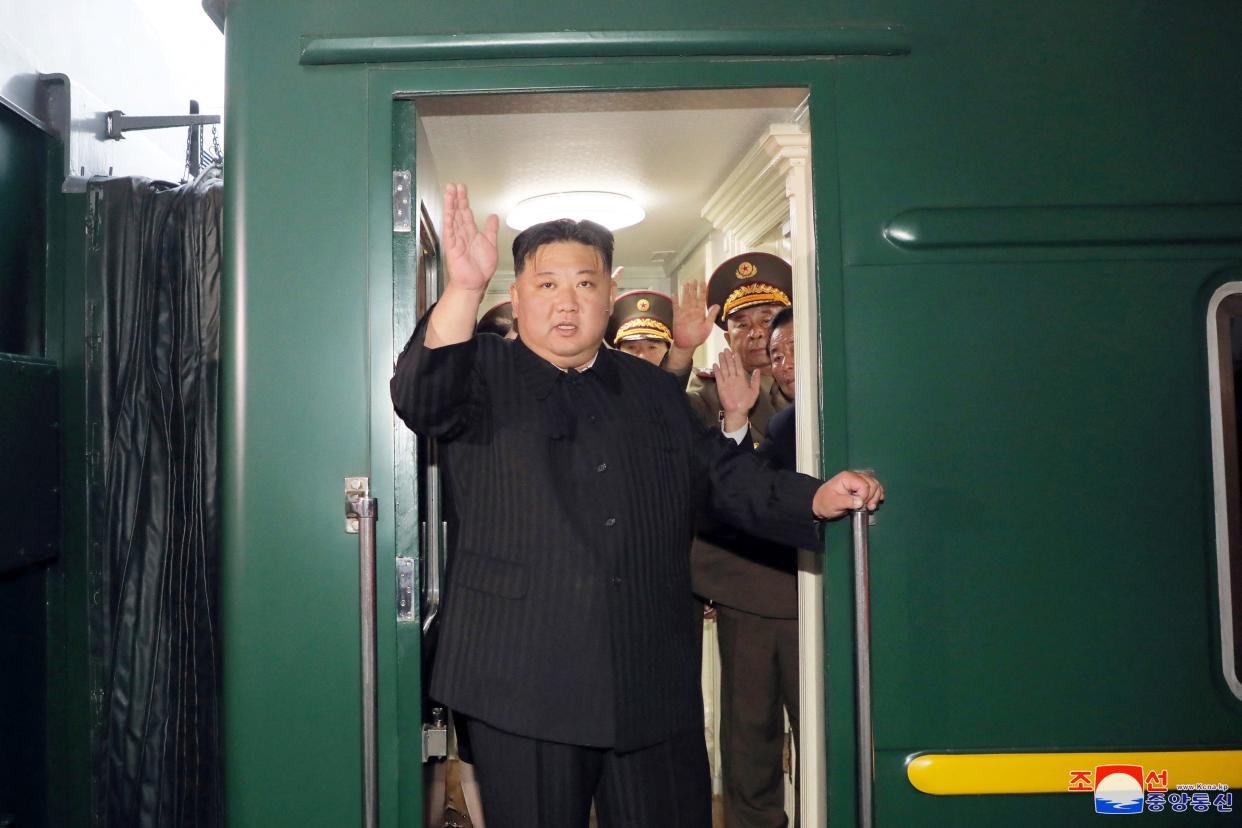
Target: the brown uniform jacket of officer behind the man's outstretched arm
(730, 567)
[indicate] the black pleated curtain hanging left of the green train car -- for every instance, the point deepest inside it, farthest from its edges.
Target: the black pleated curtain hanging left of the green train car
(153, 292)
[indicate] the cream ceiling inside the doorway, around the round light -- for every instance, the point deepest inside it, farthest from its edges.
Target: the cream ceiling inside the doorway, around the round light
(670, 151)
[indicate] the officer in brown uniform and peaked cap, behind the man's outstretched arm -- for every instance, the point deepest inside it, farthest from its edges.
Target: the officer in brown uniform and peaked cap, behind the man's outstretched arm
(751, 582)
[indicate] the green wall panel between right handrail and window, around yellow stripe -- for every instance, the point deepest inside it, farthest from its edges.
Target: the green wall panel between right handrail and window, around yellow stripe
(1040, 583)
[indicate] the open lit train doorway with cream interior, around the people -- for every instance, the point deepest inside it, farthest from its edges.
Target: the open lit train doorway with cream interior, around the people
(720, 173)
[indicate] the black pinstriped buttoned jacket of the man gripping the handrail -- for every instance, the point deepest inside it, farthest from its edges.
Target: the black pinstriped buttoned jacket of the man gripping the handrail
(576, 498)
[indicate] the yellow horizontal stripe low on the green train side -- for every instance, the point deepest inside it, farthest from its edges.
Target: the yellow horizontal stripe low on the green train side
(973, 774)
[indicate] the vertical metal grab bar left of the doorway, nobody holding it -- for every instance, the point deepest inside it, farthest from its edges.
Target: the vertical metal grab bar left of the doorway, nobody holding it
(362, 512)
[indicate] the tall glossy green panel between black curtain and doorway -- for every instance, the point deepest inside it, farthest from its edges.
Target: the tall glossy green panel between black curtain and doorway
(296, 389)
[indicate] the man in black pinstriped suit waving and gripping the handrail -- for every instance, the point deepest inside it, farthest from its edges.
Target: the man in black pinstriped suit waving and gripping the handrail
(577, 474)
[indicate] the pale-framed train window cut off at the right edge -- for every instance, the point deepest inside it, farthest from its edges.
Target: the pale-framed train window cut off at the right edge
(1225, 378)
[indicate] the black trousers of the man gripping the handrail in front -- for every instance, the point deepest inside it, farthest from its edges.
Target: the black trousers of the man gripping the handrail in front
(533, 784)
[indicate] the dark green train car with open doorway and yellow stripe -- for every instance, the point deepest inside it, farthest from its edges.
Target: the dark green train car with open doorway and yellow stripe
(1018, 250)
